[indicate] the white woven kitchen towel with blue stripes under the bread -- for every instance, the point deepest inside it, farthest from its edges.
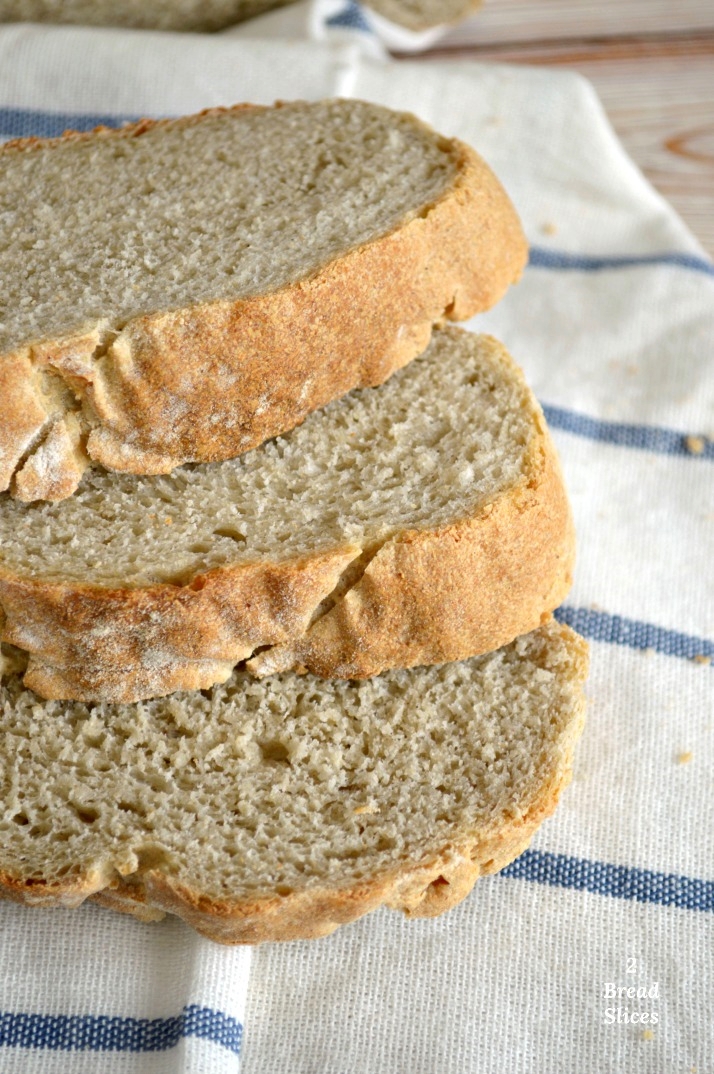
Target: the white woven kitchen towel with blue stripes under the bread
(615, 325)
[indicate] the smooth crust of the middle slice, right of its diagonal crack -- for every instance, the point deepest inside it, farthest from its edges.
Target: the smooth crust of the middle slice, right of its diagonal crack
(441, 596)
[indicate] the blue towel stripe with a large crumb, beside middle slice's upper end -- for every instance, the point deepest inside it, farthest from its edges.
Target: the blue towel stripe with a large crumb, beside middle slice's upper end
(667, 442)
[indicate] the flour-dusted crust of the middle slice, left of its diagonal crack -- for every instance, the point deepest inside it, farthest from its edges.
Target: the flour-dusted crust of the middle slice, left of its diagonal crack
(124, 645)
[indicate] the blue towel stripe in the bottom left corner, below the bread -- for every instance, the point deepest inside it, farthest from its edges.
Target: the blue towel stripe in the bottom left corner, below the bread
(113, 1034)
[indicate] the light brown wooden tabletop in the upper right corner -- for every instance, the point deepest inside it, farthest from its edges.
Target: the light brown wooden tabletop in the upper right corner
(659, 92)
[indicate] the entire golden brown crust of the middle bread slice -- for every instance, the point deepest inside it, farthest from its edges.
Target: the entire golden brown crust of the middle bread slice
(425, 597)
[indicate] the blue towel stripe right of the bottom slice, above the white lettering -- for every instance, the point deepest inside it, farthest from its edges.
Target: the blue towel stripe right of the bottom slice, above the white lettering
(619, 882)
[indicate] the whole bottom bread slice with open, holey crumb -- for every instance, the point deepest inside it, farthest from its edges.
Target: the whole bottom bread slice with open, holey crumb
(279, 810)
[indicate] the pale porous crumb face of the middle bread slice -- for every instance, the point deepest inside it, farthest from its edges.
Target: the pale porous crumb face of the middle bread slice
(440, 439)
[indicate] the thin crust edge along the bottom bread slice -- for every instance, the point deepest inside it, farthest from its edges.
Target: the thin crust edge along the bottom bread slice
(424, 890)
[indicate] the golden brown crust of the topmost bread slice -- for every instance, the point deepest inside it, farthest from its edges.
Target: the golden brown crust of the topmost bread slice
(211, 382)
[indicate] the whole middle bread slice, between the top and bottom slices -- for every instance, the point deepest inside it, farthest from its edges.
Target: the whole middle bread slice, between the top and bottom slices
(419, 523)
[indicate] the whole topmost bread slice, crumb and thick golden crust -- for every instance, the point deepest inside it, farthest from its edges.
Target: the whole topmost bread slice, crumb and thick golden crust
(181, 292)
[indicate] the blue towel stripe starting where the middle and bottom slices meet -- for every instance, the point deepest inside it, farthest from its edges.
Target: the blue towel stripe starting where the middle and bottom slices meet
(618, 631)
